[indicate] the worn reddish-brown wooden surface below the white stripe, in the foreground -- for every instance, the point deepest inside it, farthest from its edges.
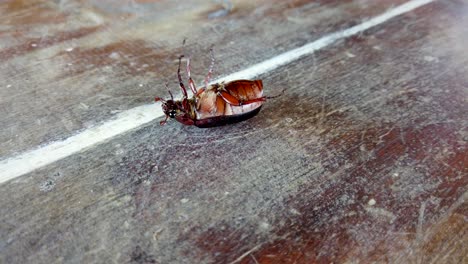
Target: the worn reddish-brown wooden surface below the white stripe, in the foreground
(363, 159)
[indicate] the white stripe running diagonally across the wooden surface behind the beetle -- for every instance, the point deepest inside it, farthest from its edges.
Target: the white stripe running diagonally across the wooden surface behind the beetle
(138, 116)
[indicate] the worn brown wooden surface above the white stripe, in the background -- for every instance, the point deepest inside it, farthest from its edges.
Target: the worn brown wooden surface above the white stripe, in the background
(67, 66)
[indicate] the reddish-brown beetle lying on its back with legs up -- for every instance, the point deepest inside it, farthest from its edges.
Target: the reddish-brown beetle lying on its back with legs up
(215, 104)
